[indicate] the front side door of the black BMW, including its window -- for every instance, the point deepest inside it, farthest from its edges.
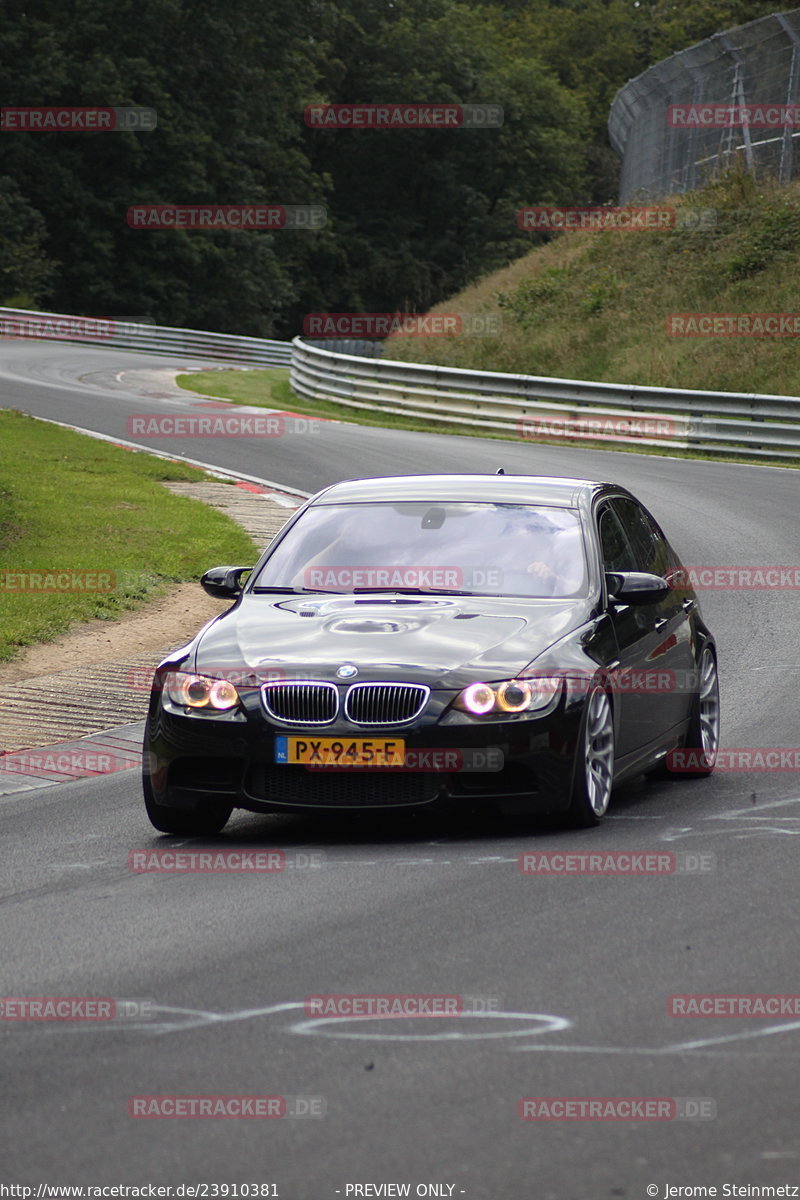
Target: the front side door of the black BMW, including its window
(637, 638)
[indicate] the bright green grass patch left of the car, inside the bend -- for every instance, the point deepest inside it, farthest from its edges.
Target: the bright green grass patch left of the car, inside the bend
(74, 505)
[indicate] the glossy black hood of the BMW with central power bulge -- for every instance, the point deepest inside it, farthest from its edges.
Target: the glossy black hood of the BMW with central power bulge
(443, 641)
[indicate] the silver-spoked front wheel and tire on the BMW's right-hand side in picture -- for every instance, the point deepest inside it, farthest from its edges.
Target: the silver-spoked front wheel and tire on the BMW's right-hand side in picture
(594, 763)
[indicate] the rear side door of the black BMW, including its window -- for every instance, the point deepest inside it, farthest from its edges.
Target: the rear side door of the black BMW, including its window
(670, 663)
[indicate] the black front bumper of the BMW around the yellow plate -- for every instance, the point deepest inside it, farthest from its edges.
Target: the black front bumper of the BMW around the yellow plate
(521, 764)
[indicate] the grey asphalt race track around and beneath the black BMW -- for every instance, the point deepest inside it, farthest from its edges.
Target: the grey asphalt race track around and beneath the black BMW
(570, 976)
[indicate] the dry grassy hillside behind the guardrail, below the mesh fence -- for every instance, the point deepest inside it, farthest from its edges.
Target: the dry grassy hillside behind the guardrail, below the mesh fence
(593, 305)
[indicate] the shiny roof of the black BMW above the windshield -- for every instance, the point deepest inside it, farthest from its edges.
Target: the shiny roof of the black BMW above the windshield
(551, 490)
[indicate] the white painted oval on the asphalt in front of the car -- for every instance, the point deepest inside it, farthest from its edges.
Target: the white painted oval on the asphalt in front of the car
(332, 1028)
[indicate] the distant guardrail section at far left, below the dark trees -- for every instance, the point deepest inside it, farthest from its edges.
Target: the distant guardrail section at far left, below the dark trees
(128, 335)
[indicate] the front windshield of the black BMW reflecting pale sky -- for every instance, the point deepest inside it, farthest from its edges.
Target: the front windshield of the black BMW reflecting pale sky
(514, 550)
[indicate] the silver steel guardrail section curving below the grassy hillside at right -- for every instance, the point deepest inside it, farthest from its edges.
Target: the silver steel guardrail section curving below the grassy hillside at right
(543, 409)
